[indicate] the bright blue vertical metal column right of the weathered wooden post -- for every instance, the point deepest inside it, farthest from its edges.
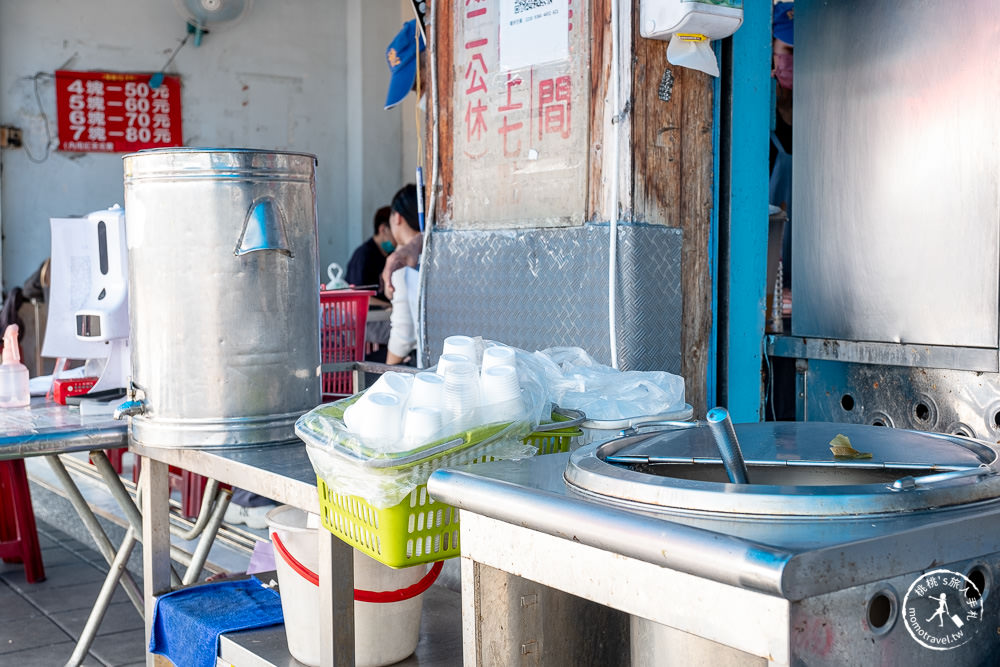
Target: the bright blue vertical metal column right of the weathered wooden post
(744, 303)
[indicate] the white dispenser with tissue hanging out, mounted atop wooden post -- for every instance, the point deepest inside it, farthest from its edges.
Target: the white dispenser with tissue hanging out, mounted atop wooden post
(690, 25)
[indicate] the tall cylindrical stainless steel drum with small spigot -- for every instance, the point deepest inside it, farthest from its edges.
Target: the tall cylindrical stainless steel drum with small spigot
(223, 293)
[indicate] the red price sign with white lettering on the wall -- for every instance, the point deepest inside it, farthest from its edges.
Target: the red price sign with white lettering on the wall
(114, 112)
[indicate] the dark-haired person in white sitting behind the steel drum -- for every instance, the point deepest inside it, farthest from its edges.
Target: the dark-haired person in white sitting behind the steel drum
(405, 226)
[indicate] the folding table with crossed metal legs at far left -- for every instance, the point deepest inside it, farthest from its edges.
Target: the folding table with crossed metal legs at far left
(49, 429)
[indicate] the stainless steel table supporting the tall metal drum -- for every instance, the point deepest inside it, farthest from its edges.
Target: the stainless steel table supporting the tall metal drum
(281, 472)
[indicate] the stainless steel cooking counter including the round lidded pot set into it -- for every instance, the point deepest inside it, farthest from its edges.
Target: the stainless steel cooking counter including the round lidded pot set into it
(817, 561)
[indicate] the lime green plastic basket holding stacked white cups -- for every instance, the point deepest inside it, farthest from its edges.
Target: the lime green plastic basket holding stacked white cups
(420, 529)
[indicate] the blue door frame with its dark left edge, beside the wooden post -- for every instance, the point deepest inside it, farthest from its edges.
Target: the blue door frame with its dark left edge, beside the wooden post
(740, 220)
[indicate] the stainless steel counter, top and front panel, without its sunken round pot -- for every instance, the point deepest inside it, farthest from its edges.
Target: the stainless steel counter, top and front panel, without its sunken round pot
(521, 524)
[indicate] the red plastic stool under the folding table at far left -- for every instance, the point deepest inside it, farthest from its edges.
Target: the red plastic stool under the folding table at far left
(18, 534)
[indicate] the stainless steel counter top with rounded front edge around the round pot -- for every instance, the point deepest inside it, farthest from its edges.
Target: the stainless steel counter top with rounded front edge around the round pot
(531, 494)
